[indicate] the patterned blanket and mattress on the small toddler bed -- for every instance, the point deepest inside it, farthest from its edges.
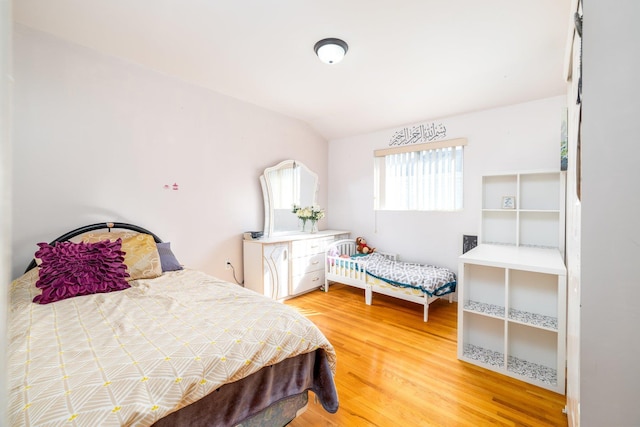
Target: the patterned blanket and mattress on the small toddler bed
(430, 279)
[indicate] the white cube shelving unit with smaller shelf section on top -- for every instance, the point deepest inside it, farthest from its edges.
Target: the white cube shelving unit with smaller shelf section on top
(512, 286)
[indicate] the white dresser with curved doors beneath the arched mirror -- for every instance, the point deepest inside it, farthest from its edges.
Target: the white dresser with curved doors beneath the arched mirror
(284, 266)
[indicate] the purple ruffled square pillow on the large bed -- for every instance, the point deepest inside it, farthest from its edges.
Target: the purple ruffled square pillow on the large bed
(72, 269)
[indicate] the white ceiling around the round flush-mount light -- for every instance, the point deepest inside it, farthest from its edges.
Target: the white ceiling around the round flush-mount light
(408, 60)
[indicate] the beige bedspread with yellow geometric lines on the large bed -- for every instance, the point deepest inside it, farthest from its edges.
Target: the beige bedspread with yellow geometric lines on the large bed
(134, 356)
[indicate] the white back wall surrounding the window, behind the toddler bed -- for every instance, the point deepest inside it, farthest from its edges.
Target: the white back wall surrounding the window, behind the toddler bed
(519, 137)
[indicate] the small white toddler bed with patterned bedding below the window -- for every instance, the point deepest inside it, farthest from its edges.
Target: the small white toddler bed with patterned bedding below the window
(382, 273)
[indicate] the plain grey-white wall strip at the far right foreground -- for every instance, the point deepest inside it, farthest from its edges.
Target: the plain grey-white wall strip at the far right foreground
(610, 283)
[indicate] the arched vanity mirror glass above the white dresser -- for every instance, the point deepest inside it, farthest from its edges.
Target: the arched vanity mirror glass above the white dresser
(284, 185)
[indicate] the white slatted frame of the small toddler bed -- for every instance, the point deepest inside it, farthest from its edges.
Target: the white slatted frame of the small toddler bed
(346, 271)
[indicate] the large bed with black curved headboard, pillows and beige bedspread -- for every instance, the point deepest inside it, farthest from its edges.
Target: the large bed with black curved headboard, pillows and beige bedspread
(173, 347)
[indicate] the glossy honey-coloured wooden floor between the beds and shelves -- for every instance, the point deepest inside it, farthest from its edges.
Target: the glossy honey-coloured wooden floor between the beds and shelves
(395, 370)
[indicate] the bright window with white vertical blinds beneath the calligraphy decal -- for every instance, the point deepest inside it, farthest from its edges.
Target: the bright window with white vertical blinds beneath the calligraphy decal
(425, 177)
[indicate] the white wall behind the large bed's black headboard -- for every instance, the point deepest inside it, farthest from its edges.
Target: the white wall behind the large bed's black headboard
(96, 138)
